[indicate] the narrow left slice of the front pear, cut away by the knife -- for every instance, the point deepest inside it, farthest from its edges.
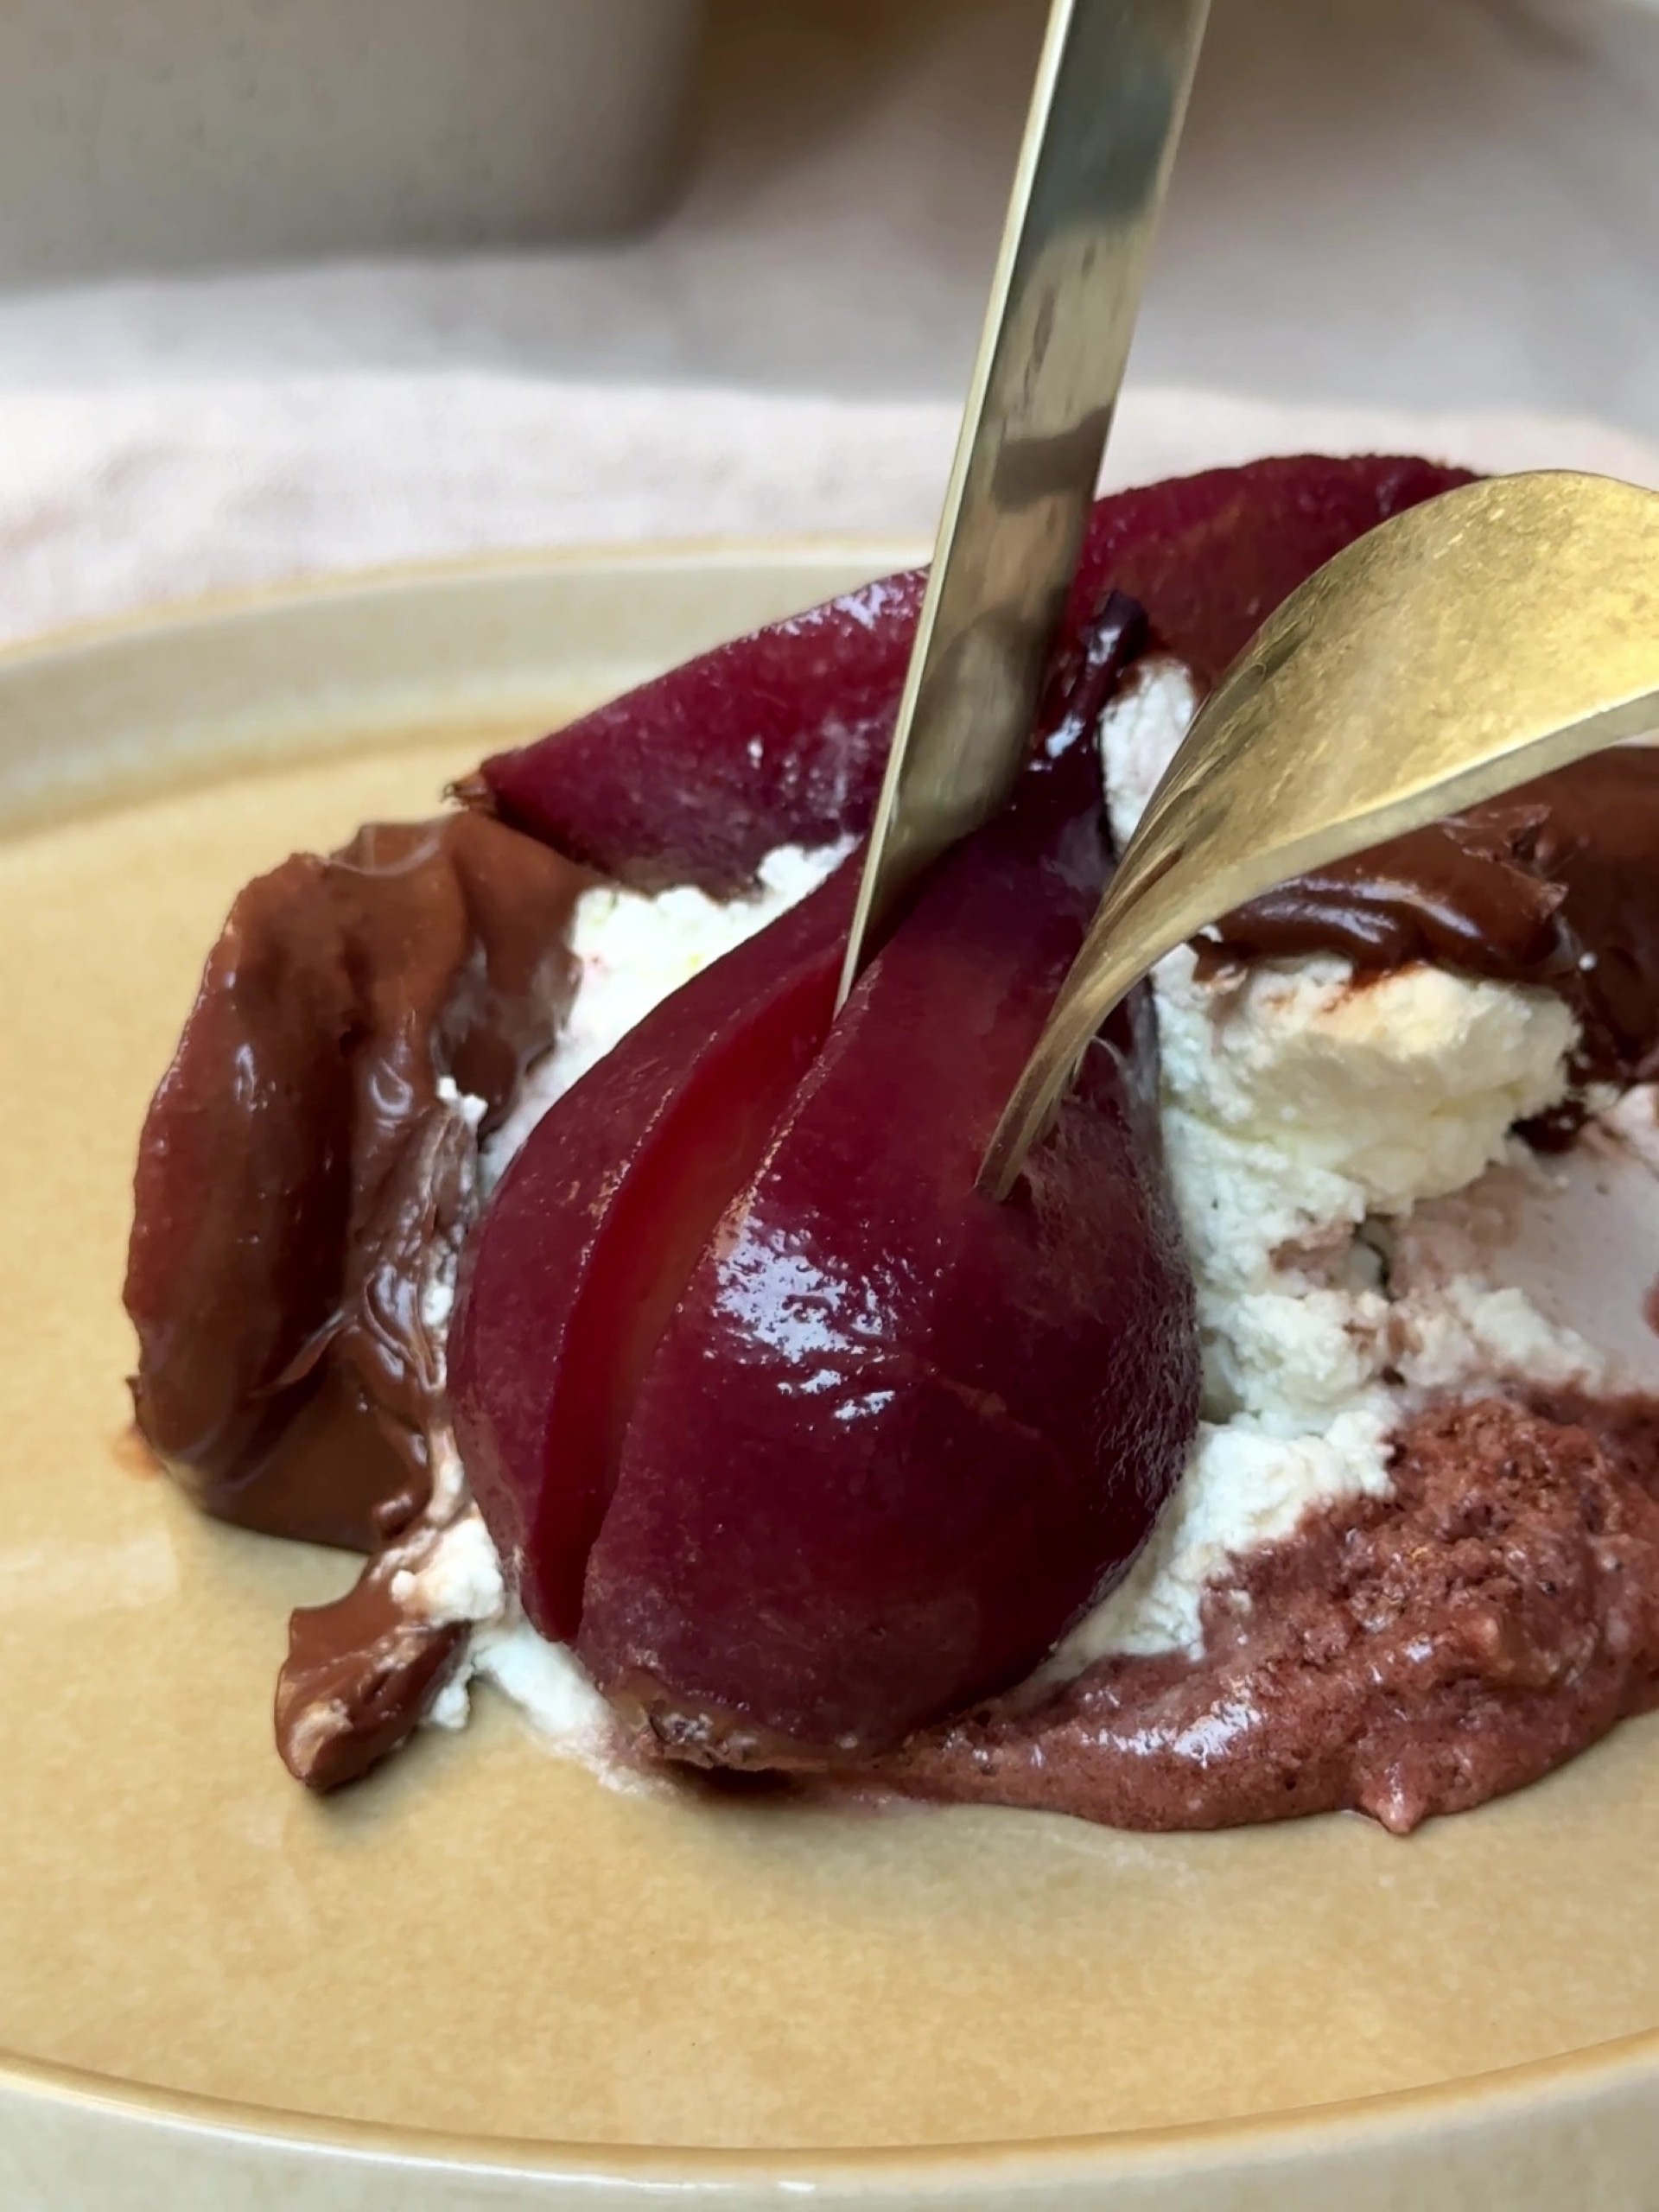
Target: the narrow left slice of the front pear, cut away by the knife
(596, 1227)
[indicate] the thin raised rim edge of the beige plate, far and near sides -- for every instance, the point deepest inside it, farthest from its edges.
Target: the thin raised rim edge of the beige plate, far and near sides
(1534, 2085)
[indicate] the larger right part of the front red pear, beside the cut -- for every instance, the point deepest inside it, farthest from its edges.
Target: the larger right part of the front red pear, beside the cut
(895, 1437)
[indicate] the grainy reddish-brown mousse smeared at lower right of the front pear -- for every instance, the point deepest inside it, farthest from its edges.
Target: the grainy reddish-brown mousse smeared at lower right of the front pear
(1404, 1658)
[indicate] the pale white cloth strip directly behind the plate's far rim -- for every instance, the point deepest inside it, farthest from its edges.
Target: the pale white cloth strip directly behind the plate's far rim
(114, 499)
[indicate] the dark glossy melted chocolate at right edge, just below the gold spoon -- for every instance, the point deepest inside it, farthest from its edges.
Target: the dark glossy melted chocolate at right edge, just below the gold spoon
(1554, 886)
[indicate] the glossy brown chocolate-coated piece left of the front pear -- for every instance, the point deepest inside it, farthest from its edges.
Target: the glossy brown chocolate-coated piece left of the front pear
(302, 1178)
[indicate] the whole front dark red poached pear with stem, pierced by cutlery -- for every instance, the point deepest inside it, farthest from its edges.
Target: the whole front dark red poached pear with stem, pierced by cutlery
(800, 1437)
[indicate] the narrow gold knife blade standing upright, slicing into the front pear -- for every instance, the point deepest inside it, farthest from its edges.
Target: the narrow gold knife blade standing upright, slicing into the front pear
(1100, 140)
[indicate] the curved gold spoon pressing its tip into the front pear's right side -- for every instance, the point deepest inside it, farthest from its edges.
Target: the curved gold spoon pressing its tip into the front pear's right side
(1457, 651)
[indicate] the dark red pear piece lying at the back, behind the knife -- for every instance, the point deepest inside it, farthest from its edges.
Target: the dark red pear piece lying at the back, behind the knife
(782, 738)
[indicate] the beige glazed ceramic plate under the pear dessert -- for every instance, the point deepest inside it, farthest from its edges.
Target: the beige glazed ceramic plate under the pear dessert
(483, 1981)
